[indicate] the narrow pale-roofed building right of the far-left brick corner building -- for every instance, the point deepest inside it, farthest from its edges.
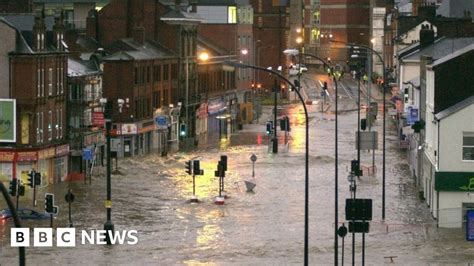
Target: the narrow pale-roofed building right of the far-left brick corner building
(85, 114)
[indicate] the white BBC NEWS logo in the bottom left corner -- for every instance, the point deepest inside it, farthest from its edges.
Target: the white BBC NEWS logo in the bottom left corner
(66, 237)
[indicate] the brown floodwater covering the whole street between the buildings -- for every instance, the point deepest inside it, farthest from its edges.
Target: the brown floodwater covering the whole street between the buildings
(150, 194)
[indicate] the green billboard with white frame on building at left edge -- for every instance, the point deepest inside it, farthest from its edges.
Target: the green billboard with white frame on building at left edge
(7, 120)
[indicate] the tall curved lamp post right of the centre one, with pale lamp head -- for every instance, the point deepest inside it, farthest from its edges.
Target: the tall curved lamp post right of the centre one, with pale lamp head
(295, 52)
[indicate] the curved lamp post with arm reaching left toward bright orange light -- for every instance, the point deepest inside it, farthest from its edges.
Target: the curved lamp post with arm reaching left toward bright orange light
(306, 197)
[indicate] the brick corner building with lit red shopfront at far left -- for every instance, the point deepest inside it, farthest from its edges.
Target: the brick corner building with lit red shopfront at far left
(35, 61)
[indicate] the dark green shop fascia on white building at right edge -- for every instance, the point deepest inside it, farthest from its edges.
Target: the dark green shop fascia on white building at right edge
(454, 181)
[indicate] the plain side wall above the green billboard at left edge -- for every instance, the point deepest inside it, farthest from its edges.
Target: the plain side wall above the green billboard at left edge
(6, 45)
